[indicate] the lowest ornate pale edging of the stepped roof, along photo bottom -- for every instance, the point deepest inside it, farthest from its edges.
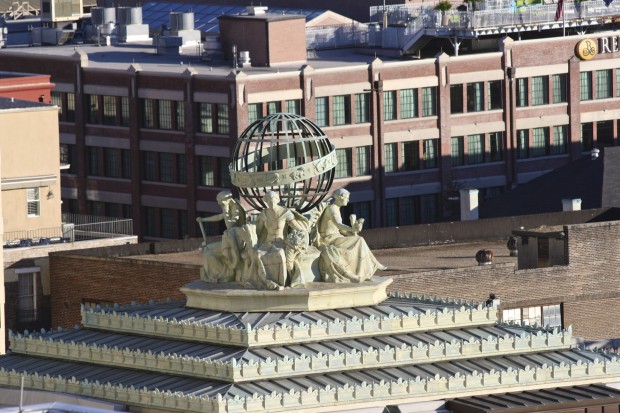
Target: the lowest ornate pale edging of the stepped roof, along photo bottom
(601, 369)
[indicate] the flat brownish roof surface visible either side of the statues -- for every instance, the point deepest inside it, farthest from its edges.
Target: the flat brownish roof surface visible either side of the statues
(398, 260)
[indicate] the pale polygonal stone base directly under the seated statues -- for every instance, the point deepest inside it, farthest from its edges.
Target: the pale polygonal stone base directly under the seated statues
(311, 297)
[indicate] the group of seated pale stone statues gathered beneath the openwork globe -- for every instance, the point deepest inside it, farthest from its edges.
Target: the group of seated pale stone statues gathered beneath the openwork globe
(281, 247)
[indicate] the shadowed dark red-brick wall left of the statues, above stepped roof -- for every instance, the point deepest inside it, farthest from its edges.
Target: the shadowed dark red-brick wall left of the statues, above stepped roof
(118, 280)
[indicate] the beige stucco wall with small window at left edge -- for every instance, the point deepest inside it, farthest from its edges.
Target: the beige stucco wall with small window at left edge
(29, 156)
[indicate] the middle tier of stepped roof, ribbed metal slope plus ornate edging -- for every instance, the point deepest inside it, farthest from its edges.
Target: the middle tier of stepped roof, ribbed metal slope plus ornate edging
(229, 364)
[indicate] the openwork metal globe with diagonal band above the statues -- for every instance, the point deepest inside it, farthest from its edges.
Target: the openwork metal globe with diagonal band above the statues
(287, 154)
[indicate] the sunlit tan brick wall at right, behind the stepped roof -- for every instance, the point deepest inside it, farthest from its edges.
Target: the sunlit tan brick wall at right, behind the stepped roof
(588, 288)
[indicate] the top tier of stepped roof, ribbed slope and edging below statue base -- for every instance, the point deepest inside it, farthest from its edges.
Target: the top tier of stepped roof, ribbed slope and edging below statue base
(412, 315)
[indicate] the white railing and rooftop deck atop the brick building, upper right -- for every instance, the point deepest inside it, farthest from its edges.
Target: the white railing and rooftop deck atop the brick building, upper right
(406, 21)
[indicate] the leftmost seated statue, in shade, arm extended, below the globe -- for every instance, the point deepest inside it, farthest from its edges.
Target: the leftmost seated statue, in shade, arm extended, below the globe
(221, 260)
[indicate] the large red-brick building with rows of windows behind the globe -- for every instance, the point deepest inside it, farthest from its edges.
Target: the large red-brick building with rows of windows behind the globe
(150, 137)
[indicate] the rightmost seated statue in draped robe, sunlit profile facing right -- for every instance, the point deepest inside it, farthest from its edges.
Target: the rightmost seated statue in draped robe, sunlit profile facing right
(345, 256)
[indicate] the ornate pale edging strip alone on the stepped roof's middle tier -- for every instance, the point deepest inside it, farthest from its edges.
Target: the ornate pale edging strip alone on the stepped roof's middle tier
(235, 371)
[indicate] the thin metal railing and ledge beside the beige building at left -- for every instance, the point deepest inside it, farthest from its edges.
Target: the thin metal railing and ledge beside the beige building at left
(75, 227)
